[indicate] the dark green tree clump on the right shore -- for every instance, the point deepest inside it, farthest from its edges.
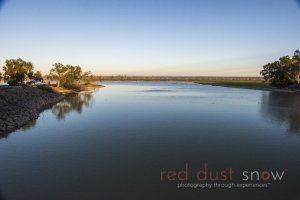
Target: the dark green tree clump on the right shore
(283, 72)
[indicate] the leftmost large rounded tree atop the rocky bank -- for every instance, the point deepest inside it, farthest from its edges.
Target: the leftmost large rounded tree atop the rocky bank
(16, 70)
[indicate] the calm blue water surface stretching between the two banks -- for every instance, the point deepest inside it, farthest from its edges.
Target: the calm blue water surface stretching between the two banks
(114, 143)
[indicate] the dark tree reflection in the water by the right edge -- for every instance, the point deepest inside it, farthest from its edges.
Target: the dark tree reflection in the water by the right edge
(283, 108)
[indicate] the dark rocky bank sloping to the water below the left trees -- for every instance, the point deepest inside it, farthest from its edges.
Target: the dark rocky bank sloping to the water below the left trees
(20, 105)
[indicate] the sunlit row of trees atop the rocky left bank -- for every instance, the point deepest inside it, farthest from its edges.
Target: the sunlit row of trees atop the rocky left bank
(16, 71)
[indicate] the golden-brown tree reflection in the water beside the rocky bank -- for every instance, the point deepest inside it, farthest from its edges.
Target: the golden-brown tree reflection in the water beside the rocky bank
(74, 102)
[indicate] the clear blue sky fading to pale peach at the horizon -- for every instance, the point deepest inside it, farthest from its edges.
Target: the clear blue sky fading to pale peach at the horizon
(150, 37)
